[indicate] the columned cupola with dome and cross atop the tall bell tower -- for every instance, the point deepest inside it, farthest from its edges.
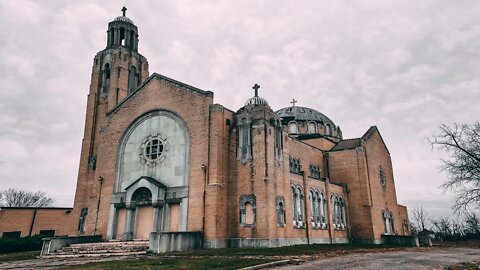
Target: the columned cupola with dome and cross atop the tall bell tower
(122, 32)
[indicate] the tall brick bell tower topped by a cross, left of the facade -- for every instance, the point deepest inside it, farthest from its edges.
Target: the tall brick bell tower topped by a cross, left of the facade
(117, 72)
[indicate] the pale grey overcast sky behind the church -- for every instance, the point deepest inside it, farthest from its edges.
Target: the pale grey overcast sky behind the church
(404, 66)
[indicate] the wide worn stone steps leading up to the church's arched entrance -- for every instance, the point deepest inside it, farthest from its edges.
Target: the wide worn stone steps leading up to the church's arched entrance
(101, 249)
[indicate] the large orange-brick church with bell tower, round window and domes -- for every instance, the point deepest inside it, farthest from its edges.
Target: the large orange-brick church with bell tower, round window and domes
(159, 155)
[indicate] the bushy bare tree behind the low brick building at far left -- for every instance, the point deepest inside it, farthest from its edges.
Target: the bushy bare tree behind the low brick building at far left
(20, 198)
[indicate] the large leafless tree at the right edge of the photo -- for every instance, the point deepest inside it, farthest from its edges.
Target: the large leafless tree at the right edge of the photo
(462, 142)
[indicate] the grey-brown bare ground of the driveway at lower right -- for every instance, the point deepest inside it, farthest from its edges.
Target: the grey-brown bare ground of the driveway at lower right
(436, 258)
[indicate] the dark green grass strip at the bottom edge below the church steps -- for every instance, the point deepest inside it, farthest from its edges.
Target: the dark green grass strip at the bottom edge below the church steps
(175, 263)
